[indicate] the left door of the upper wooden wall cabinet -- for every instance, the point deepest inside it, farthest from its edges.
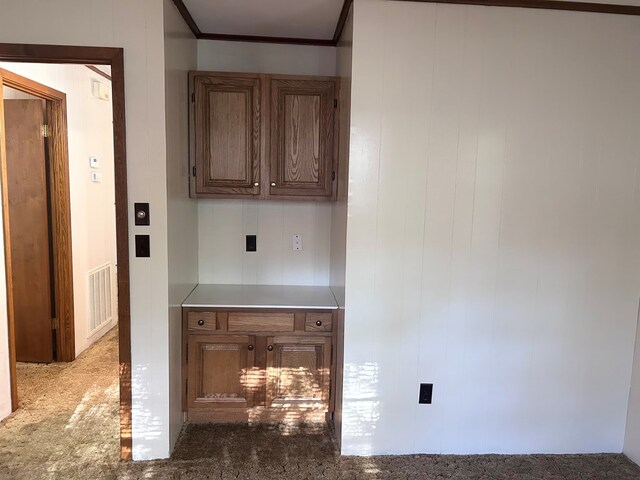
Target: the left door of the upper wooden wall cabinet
(226, 135)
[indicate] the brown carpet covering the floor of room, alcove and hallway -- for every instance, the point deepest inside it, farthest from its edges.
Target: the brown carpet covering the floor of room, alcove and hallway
(67, 428)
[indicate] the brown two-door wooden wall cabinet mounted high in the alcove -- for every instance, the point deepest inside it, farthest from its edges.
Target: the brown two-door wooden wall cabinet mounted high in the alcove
(263, 136)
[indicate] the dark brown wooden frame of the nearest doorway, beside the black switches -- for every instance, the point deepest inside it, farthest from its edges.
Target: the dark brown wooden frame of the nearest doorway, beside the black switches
(114, 57)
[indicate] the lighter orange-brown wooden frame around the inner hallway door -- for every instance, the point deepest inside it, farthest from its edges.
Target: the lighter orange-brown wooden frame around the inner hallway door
(56, 117)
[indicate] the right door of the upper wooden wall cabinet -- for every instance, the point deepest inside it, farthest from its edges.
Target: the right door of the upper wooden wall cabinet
(302, 137)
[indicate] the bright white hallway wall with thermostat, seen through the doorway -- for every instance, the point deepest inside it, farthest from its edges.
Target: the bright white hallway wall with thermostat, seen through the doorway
(93, 223)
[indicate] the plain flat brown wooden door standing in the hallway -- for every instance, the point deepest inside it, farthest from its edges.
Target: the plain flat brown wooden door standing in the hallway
(29, 229)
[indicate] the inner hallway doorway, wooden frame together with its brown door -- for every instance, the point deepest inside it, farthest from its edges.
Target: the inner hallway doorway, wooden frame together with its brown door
(37, 246)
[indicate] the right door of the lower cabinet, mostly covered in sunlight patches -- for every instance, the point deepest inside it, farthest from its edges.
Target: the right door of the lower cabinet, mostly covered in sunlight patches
(298, 372)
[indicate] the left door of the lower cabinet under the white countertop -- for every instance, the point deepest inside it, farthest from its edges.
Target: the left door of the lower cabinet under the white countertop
(220, 372)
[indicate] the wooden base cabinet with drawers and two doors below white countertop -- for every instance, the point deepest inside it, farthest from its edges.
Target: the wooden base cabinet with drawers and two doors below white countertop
(260, 366)
